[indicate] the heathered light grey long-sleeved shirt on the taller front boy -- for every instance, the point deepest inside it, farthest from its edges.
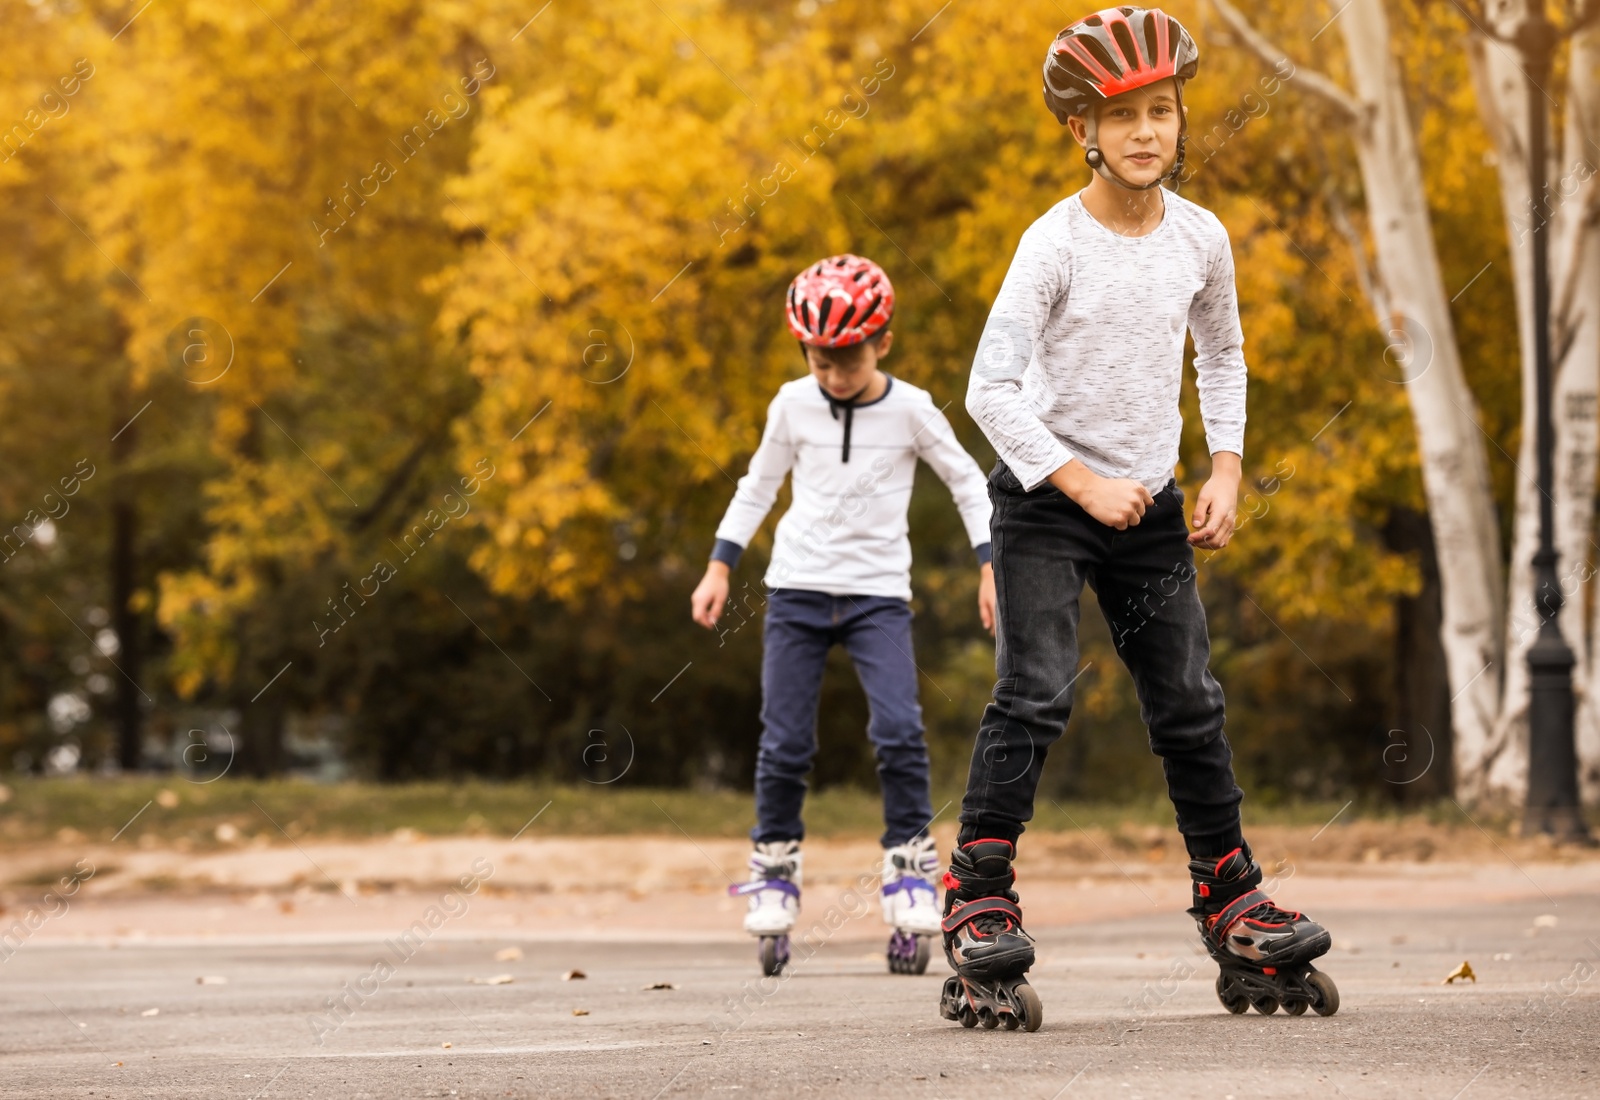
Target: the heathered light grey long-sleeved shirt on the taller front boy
(1084, 351)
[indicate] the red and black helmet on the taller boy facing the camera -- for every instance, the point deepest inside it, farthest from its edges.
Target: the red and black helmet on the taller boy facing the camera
(1114, 52)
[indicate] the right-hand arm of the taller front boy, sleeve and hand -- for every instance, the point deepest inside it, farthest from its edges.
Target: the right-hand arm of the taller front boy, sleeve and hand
(1222, 375)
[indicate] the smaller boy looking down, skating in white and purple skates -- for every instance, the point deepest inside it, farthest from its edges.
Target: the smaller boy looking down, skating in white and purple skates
(841, 575)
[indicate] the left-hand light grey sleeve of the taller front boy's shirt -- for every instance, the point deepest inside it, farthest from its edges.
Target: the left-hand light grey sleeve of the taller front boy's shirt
(994, 396)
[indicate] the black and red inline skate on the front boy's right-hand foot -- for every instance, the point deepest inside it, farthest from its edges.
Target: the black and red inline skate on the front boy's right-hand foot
(1265, 954)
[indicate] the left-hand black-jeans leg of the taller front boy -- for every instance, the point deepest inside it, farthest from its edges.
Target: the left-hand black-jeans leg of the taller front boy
(1044, 549)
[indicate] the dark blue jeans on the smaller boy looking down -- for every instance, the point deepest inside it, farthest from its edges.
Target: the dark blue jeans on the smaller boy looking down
(876, 632)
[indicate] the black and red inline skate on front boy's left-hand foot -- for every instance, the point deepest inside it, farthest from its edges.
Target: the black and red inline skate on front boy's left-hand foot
(985, 943)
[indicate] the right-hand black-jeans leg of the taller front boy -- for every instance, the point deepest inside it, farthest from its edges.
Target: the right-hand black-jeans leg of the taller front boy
(1153, 607)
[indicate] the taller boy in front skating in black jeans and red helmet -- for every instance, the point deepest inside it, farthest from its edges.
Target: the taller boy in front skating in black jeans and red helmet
(1076, 383)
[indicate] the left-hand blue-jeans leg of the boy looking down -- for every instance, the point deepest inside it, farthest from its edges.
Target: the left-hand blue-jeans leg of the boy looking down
(796, 639)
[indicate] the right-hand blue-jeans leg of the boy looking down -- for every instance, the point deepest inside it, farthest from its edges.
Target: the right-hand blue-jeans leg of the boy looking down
(876, 632)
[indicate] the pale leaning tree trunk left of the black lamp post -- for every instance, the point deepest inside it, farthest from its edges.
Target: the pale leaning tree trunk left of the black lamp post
(1450, 444)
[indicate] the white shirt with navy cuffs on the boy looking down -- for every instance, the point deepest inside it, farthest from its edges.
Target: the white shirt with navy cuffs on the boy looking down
(846, 532)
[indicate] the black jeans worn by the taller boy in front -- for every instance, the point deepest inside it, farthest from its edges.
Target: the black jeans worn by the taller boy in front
(1046, 549)
